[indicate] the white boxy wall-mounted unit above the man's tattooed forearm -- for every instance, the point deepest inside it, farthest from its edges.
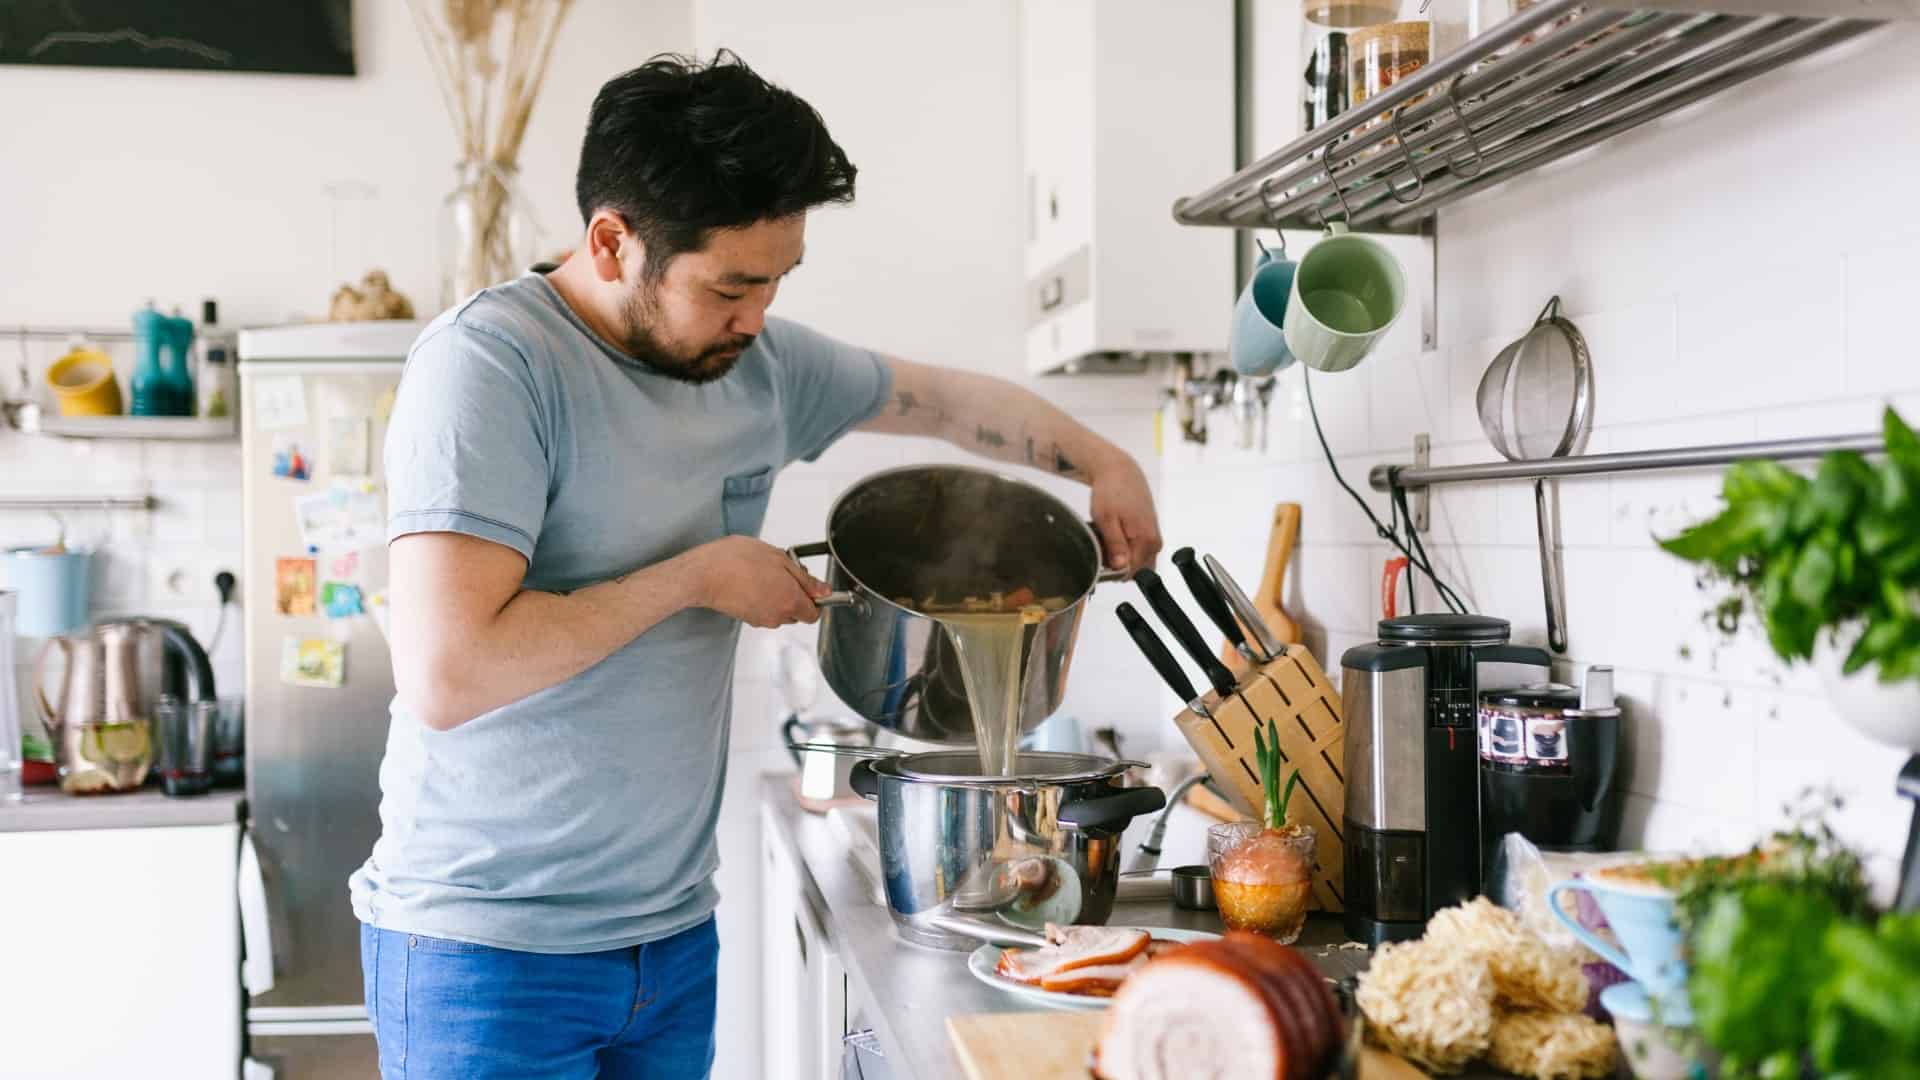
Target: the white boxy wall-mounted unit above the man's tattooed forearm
(1126, 107)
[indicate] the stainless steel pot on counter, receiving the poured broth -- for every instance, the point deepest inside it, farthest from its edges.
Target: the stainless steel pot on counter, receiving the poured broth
(1034, 848)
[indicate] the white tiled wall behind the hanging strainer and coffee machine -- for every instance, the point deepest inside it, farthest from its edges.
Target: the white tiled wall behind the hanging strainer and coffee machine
(1739, 276)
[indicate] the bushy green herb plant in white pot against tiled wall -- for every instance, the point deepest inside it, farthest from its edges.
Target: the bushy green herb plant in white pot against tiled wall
(1831, 568)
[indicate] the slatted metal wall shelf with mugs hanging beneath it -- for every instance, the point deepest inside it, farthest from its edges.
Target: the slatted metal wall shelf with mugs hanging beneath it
(1547, 84)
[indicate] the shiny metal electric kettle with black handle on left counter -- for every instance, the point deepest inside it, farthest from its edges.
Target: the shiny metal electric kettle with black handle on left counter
(116, 672)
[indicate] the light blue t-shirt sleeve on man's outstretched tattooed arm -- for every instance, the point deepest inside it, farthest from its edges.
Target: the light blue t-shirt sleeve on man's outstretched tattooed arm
(827, 387)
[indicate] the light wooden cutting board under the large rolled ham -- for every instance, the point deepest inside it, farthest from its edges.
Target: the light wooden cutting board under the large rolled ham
(1059, 1044)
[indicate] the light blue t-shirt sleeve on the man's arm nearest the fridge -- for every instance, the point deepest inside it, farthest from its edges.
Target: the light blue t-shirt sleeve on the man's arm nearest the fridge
(466, 447)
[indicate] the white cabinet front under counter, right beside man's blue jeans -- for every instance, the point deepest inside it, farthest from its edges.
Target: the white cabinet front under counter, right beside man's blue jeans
(804, 1002)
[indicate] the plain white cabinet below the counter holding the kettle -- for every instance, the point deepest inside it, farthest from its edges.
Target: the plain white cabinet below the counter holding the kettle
(122, 952)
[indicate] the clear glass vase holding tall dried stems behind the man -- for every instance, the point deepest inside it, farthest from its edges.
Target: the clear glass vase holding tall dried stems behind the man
(487, 232)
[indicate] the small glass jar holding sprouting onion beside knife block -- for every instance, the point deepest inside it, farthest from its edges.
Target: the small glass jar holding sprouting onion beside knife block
(1262, 877)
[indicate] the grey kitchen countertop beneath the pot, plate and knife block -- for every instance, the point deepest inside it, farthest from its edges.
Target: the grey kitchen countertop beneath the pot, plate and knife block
(915, 989)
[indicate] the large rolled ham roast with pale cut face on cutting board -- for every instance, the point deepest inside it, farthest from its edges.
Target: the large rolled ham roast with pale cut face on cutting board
(1243, 1006)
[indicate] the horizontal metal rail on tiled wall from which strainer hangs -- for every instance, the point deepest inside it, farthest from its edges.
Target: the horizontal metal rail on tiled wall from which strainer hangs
(1385, 478)
